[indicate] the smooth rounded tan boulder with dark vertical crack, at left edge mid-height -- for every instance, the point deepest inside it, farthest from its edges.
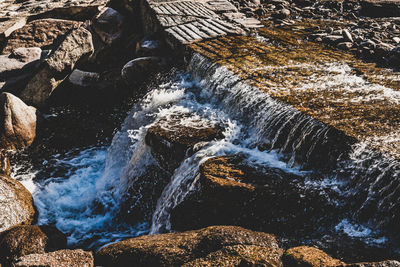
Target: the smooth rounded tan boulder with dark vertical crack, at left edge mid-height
(18, 123)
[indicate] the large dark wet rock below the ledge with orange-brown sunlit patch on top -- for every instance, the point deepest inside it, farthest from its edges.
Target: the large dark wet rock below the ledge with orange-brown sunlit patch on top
(232, 191)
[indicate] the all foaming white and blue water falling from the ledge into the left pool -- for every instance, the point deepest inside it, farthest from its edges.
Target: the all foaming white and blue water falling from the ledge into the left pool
(85, 202)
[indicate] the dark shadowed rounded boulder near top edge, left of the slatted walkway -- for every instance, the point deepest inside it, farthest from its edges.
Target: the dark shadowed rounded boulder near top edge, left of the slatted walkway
(108, 24)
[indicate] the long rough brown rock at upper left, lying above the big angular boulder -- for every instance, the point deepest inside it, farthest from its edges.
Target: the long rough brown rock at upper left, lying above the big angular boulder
(40, 33)
